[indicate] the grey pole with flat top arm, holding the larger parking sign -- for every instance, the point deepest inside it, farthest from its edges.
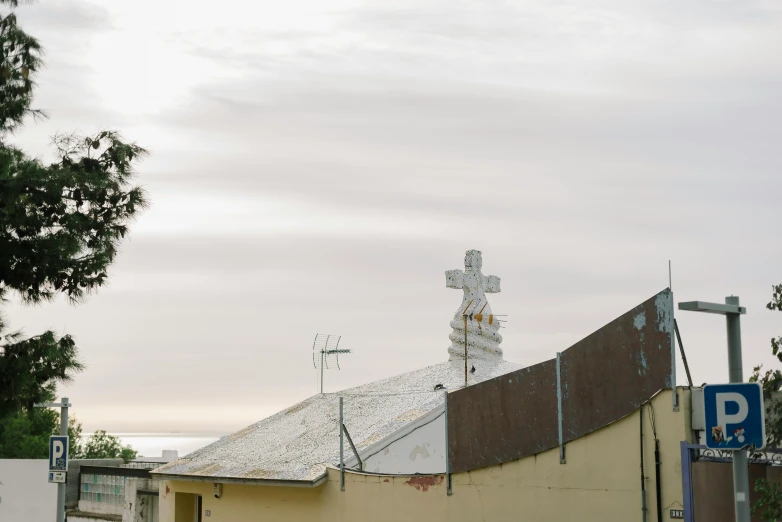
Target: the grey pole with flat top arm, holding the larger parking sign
(732, 312)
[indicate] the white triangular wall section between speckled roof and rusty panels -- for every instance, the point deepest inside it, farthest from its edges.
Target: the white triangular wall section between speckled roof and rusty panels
(420, 451)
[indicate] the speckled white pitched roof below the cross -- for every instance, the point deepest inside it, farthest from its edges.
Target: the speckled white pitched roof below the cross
(298, 443)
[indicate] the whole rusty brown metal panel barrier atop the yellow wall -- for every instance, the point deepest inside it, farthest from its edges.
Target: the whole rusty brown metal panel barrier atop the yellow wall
(604, 377)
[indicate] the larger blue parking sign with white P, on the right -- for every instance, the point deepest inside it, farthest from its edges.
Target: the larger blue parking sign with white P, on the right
(735, 416)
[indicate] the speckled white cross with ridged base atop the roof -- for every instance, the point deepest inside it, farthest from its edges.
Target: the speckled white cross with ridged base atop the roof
(483, 339)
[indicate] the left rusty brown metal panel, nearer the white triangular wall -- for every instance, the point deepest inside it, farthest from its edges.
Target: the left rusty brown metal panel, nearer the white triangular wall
(493, 419)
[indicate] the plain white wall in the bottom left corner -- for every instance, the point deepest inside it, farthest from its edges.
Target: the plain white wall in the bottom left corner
(26, 493)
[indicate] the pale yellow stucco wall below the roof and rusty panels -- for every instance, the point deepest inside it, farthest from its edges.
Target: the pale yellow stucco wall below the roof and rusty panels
(600, 482)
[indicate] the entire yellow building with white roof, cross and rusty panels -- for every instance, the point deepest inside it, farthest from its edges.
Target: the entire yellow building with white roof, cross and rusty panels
(592, 434)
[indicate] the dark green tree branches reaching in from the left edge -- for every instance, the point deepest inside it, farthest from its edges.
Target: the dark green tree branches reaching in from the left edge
(60, 224)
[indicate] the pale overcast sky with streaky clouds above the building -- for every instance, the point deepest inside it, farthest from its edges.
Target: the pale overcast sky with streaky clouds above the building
(316, 165)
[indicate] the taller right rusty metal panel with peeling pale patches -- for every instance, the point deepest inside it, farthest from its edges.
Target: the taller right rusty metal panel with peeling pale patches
(610, 373)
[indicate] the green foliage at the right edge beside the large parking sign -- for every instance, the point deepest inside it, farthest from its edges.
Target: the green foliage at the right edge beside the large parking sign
(769, 503)
